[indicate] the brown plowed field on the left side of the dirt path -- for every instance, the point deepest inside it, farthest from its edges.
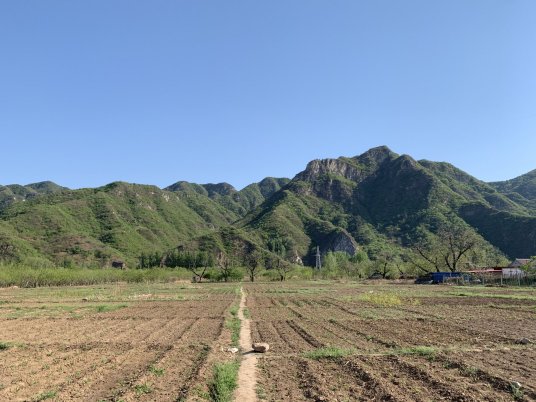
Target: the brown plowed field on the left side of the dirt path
(129, 342)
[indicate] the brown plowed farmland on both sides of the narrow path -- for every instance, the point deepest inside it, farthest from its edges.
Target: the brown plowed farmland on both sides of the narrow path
(328, 341)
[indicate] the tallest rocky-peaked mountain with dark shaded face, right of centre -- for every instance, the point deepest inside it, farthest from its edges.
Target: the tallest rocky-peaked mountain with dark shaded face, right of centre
(380, 198)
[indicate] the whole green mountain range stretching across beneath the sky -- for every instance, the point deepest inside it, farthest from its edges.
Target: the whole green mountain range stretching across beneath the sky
(375, 200)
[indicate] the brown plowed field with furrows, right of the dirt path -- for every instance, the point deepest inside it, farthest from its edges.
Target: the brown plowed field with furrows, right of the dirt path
(394, 342)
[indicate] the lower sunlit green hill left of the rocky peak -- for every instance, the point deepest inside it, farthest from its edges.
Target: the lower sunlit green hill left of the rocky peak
(119, 220)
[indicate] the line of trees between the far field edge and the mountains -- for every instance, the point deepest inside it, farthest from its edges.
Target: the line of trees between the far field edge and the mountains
(453, 247)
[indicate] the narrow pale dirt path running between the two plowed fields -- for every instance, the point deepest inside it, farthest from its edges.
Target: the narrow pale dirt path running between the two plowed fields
(247, 374)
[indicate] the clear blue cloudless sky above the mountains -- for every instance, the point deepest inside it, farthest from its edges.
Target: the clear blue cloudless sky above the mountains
(158, 91)
